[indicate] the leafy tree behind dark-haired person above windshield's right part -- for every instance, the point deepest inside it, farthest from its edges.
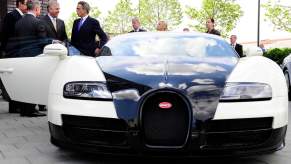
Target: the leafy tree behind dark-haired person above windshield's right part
(226, 13)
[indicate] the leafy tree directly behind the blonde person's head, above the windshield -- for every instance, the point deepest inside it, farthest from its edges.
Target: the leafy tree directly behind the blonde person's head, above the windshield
(151, 11)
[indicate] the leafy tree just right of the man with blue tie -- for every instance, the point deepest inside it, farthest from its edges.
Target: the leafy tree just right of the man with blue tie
(118, 21)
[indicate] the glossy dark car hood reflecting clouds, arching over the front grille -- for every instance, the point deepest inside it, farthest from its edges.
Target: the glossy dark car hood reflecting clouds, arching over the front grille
(200, 79)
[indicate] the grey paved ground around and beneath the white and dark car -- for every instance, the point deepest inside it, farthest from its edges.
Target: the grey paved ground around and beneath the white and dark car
(25, 140)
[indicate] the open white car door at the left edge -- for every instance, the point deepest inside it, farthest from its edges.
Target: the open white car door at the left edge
(27, 79)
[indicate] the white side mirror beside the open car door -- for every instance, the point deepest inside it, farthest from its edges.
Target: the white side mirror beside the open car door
(55, 50)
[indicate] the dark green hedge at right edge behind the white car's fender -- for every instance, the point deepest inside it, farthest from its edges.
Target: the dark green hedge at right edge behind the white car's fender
(278, 54)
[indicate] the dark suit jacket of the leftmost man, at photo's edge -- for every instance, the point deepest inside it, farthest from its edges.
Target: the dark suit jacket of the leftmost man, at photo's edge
(8, 27)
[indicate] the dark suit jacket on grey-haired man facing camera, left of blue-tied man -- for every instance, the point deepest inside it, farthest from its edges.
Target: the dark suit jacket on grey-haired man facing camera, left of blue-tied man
(60, 34)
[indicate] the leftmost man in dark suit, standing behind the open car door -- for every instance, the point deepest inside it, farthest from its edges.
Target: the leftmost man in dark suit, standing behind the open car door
(8, 32)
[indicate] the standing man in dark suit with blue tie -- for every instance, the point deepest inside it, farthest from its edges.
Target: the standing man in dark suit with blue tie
(85, 30)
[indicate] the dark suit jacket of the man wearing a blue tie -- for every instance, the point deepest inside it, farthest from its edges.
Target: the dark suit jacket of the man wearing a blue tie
(85, 38)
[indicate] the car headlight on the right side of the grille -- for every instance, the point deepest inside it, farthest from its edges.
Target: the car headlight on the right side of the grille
(237, 92)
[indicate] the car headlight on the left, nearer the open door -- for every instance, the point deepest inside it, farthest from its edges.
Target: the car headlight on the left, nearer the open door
(87, 90)
